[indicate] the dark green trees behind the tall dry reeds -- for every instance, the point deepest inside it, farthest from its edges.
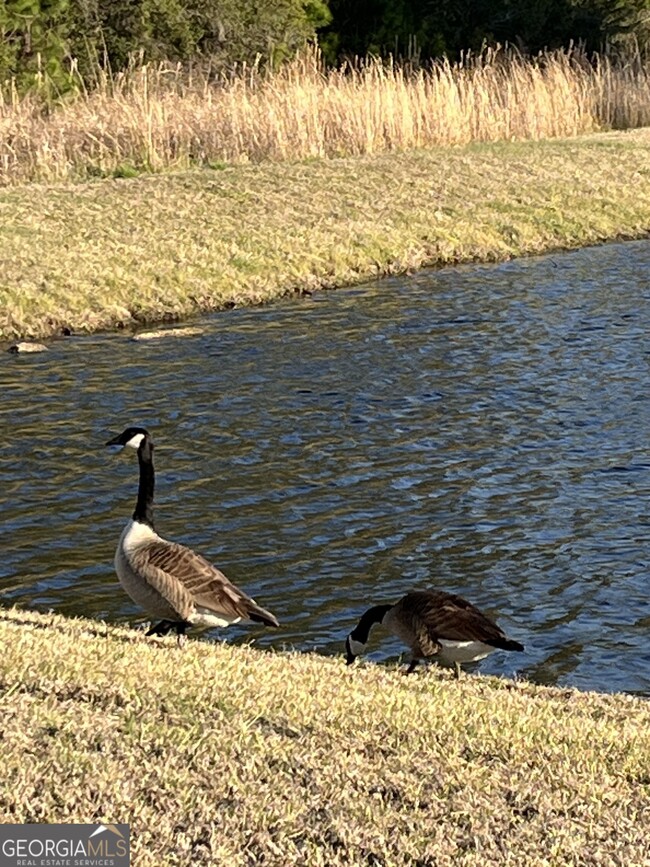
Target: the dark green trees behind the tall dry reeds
(40, 38)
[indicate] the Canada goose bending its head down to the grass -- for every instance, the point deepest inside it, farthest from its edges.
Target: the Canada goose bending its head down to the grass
(433, 623)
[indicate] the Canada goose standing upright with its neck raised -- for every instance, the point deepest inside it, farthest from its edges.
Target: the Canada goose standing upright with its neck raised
(168, 580)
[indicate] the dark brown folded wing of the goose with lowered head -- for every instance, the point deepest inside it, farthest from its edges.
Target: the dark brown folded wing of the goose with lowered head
(444, 615)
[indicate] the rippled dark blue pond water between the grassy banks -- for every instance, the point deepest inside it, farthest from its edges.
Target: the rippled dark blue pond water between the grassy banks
(481, 429)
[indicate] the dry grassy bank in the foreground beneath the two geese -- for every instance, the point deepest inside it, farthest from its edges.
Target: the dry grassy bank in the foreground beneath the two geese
(225, 755)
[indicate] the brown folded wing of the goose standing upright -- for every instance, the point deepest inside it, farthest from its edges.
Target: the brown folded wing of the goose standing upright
(195, 579)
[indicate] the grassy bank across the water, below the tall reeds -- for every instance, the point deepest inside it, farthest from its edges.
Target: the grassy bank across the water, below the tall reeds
(115, 252)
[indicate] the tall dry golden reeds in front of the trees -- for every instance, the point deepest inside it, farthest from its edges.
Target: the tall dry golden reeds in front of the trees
(156, 118)
